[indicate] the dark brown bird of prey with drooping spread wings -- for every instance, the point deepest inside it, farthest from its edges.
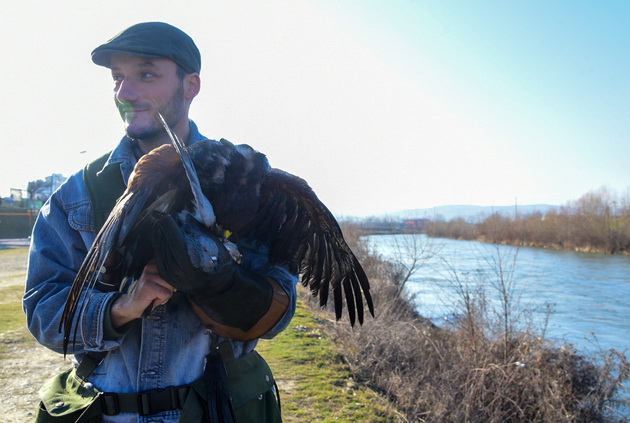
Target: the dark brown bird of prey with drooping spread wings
(222, 187)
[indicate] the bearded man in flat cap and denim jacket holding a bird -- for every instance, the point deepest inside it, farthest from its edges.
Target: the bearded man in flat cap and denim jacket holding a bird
(141, 366)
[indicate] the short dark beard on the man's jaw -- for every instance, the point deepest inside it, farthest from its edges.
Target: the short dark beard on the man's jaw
(152, 131)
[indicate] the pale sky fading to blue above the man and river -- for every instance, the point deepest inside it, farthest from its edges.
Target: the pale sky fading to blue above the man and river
(379, 105)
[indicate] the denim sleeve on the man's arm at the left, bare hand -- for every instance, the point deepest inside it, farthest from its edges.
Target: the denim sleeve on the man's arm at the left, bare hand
(60, 240)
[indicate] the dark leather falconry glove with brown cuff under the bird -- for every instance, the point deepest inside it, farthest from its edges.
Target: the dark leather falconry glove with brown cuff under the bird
(229, 299)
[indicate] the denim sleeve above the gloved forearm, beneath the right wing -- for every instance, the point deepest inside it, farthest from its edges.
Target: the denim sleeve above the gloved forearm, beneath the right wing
(256, 260)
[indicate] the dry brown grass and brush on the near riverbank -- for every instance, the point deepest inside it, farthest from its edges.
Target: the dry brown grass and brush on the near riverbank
(473, 371)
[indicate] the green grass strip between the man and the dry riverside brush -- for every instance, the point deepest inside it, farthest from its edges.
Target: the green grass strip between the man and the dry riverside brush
(315, 382)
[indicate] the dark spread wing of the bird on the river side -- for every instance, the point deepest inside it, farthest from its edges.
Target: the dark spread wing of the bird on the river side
(306, 236)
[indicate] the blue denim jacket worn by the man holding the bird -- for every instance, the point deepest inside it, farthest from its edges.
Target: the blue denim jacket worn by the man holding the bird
(167, 348)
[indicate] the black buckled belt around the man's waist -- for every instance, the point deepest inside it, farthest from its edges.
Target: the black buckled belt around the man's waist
(144, 403)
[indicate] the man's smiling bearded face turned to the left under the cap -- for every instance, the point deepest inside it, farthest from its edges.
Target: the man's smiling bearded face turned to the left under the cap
(144, 86)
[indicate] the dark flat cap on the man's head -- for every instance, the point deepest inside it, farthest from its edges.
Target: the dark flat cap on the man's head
(152, 39)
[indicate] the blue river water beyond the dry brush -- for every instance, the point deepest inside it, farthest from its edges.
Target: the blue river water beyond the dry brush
(588, 294)
